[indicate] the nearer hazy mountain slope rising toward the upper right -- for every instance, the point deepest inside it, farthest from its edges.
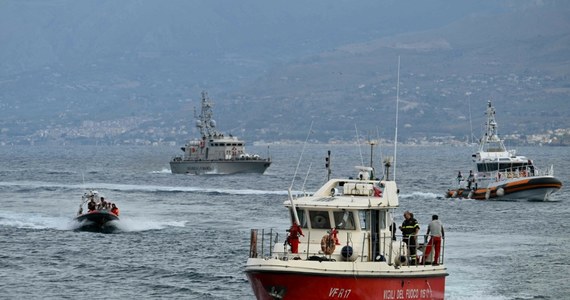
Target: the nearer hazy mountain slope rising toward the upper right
(519, 60)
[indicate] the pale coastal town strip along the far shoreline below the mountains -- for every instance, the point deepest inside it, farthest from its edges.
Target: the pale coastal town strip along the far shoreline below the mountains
(137, 131)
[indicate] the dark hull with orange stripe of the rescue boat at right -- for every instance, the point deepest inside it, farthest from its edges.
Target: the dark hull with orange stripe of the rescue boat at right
(537, 188)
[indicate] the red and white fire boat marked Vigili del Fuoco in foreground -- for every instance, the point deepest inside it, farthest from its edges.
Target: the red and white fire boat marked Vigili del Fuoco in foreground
(346, 248)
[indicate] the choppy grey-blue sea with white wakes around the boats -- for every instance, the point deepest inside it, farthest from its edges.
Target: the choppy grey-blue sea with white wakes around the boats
(186, 236)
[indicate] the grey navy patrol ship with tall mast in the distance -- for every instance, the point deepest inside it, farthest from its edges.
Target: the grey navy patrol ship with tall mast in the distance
(215, 153)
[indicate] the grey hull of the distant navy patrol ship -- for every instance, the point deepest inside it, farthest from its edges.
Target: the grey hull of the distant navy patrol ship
(221, 167)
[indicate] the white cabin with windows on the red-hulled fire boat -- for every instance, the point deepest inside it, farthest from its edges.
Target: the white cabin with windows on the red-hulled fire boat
(359, 215)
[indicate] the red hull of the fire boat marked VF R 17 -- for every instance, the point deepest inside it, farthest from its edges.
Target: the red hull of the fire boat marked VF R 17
(270, 286)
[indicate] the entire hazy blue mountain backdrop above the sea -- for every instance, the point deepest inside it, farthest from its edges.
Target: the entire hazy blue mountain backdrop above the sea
(117, 71)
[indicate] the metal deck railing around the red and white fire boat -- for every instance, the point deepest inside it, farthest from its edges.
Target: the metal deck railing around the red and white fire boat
(392, 249)
